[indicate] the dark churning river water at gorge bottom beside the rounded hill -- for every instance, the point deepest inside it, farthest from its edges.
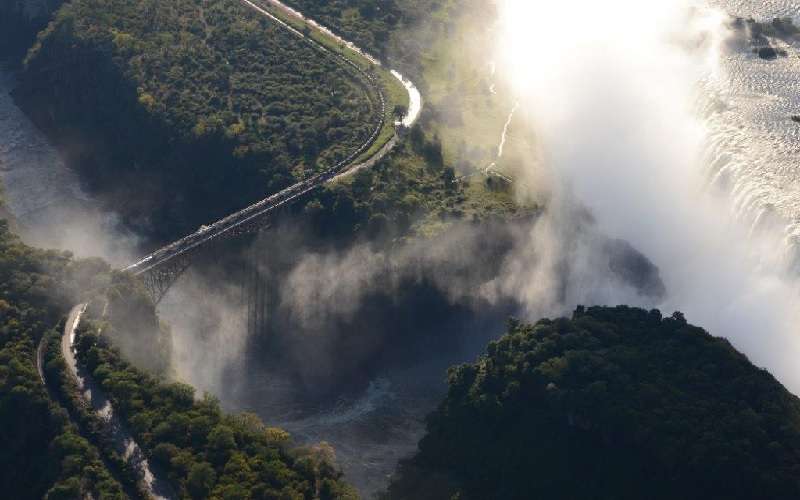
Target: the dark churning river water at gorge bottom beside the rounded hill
(370, 430)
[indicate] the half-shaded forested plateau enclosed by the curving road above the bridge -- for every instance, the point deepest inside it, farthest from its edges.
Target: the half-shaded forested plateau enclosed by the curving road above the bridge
(186, 111)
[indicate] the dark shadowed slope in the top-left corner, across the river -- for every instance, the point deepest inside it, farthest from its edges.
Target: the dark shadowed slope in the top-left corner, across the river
(20, 21)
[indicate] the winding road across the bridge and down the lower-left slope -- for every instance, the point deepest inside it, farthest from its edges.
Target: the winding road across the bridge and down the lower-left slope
(124, 443)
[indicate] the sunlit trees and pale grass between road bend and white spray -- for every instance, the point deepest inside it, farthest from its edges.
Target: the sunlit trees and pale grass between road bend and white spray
(438, 44)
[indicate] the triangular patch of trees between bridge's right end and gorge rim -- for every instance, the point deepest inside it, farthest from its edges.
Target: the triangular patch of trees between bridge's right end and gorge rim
(410, 193)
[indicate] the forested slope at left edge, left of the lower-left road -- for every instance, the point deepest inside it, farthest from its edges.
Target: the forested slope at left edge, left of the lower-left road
(42, 452)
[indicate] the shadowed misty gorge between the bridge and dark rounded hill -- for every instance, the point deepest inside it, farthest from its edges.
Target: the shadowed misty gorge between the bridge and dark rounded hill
(349, 342)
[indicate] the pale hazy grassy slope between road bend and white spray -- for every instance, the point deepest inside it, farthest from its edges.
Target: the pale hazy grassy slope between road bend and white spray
(457, 70)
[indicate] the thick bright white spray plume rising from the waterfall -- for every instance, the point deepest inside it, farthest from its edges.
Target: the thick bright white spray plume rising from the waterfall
(612, 90)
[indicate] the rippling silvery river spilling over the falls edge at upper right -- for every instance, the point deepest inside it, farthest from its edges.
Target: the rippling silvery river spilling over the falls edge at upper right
(753, 140)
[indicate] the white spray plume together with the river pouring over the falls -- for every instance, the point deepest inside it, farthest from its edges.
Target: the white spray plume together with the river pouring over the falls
(611, 90)
